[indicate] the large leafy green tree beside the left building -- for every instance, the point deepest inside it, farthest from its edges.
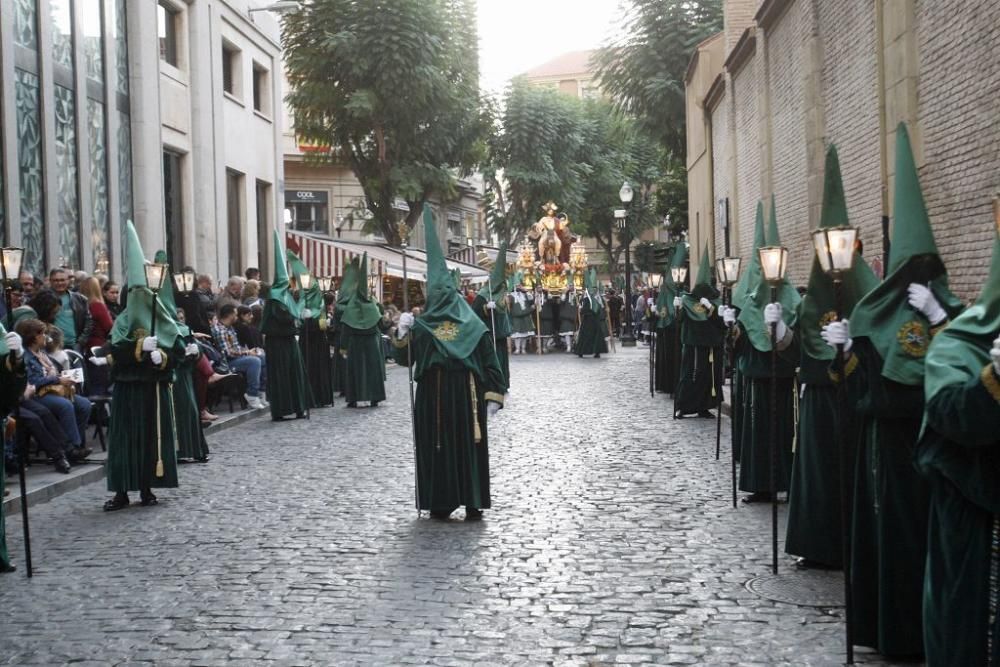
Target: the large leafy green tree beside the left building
(392, 87)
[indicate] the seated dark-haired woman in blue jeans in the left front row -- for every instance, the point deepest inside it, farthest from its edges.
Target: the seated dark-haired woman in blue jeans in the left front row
(55, 392)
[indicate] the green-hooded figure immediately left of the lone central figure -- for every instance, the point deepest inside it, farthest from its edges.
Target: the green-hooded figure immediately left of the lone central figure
(359, 322)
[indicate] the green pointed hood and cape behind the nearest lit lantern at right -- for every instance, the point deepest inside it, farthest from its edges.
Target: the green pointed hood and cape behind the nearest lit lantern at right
(818, 307)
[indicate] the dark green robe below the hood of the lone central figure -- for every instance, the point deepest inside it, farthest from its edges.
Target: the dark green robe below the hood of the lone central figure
(453, 463)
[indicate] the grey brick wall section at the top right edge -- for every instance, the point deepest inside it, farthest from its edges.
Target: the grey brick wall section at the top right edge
(959, 109)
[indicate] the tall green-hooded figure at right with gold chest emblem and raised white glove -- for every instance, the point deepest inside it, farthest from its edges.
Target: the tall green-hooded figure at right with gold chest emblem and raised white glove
(891, 499)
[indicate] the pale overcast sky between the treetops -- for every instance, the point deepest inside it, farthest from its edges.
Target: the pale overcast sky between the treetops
(517, 35)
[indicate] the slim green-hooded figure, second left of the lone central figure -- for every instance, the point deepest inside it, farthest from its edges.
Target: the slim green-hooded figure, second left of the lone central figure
(313, 342)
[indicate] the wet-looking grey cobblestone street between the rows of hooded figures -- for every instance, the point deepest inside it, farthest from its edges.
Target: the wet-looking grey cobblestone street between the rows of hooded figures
(612, 540)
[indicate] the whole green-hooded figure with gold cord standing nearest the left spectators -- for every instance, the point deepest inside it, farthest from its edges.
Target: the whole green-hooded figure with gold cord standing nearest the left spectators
(141, 438)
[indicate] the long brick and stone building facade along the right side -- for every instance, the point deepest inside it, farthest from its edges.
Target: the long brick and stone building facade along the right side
(807, 73)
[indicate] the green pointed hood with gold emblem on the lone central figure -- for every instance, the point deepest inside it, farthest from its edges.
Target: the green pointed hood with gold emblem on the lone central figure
(448, 319)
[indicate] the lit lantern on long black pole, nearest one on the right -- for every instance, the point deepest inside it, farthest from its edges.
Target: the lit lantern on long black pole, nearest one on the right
(835, 252)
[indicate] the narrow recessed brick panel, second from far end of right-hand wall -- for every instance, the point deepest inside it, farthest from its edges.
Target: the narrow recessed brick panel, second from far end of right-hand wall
(747, 154)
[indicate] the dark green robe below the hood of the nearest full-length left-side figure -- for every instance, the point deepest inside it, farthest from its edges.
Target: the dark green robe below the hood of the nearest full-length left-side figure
(143, 422)
